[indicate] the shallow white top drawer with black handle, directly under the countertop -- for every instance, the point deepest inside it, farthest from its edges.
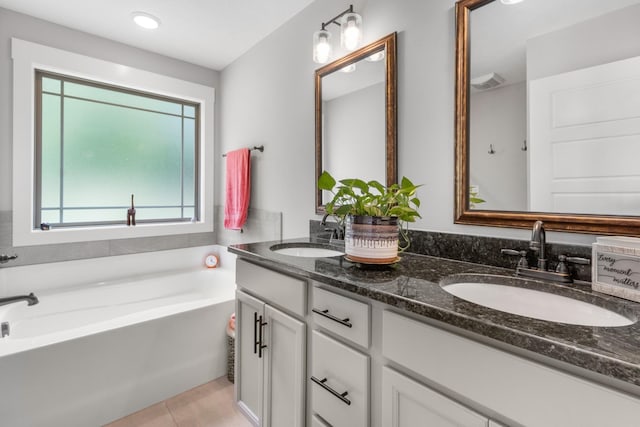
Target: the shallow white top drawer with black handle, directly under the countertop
(343, 316)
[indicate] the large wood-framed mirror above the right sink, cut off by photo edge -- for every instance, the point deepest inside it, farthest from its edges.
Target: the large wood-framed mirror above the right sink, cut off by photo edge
(548, 114)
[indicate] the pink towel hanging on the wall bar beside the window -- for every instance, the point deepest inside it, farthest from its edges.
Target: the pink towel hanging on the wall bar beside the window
(238, 188)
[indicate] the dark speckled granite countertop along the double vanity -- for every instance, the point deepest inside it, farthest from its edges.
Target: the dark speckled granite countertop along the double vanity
(413, 285)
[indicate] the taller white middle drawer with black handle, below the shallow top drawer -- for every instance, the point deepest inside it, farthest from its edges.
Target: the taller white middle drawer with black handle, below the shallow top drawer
(342, 398)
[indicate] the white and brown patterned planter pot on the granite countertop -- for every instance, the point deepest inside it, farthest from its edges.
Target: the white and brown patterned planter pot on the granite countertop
(371, 239)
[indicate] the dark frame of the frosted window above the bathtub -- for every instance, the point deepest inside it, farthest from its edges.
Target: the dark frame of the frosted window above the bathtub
(39, 91)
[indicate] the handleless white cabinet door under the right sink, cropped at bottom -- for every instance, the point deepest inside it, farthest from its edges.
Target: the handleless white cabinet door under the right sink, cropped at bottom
(407, 403)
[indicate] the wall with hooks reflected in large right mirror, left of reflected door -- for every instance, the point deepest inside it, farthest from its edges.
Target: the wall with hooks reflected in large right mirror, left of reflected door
(501, 177)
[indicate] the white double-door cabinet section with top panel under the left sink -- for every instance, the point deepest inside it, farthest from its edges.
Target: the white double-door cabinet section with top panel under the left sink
(270, 347)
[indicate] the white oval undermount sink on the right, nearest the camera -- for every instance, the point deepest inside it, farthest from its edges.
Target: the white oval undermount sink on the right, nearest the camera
(536, 304)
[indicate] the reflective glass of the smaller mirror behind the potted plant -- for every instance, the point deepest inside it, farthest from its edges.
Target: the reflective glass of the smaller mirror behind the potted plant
(353, 122)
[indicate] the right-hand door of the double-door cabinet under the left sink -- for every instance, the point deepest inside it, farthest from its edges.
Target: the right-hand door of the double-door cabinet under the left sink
(284, 358)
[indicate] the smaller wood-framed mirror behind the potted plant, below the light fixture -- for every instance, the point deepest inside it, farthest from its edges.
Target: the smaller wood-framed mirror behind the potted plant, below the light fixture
(355, 109)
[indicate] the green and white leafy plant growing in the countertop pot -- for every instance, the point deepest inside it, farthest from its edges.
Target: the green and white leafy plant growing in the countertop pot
(357, 197)
